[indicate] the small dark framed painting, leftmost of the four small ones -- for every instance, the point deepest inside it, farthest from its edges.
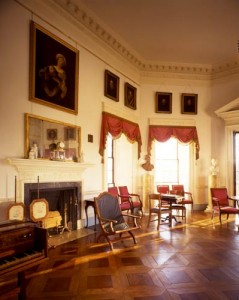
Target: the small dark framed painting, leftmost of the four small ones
(111, 86)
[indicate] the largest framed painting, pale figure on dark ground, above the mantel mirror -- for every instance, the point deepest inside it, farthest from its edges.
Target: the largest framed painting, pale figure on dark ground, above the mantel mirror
(54, 68)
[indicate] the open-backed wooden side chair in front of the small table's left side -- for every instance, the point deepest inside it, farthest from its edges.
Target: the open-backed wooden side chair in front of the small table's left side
(156, 208)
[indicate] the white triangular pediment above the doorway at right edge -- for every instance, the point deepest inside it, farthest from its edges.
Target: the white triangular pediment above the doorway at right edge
(229, 113)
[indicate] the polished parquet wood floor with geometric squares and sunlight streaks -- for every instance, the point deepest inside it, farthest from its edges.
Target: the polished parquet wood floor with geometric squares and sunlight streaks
(196, 260)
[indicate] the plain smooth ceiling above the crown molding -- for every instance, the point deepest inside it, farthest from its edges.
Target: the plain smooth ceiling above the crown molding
(173, 31)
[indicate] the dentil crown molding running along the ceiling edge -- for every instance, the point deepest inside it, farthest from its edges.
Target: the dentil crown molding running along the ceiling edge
(84, 18)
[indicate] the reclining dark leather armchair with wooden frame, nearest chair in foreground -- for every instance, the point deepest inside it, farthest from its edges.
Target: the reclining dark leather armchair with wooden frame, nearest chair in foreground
(113, 223)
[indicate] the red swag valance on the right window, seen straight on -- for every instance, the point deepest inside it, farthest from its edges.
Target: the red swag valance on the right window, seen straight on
(164, 133)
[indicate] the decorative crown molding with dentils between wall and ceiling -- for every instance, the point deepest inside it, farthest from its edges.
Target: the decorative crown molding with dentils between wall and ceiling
(79, 16)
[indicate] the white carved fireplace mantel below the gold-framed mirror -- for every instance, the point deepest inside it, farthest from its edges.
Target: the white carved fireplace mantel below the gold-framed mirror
(32, 170)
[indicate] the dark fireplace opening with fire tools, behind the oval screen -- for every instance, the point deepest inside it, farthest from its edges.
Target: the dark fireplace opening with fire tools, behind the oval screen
(64, 197)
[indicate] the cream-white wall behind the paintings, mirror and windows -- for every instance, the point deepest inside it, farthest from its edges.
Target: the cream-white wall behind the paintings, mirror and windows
(94, 59)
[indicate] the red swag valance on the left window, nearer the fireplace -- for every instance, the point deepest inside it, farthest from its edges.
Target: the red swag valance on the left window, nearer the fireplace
(116, 126)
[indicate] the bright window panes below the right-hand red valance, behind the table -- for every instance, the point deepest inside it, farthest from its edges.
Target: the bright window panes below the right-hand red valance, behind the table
(172, 163)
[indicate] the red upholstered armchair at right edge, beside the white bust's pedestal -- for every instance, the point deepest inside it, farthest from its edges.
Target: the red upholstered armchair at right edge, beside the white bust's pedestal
(220, 203)
